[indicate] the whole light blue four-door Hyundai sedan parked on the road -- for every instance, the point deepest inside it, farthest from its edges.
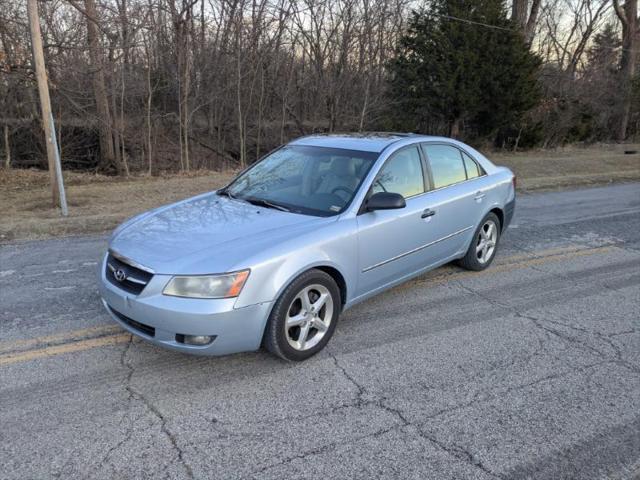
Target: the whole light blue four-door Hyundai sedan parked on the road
(307, 232)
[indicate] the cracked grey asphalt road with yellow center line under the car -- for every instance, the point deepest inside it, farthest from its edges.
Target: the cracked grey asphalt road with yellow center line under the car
(528, 370)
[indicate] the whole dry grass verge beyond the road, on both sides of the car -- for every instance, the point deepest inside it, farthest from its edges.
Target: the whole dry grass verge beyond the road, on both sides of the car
(99, 203)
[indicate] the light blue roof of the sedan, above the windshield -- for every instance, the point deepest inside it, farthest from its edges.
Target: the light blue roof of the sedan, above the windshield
(366, 142)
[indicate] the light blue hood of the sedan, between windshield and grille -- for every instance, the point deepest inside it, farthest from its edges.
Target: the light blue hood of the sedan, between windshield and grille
(205, 234)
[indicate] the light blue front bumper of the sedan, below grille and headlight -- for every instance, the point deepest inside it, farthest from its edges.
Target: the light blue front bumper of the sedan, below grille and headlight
(161, 319)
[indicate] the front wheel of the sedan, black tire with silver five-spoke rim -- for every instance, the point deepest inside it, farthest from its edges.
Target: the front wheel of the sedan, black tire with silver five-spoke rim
(304, 317)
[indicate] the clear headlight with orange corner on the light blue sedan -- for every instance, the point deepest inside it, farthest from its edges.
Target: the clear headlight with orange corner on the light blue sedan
(207, 286)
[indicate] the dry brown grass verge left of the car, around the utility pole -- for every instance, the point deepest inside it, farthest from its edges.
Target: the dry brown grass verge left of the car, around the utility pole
(96, 203)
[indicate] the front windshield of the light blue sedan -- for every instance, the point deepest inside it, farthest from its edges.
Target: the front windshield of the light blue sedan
(304, 179)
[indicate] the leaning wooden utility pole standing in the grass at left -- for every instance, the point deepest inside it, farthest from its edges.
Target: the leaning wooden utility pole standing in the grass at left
(53, 155)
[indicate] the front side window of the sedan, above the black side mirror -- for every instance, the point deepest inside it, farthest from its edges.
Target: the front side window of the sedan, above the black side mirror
(402, 174)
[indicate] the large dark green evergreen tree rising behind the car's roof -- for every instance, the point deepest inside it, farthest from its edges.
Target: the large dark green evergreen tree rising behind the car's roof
(463, 64)
